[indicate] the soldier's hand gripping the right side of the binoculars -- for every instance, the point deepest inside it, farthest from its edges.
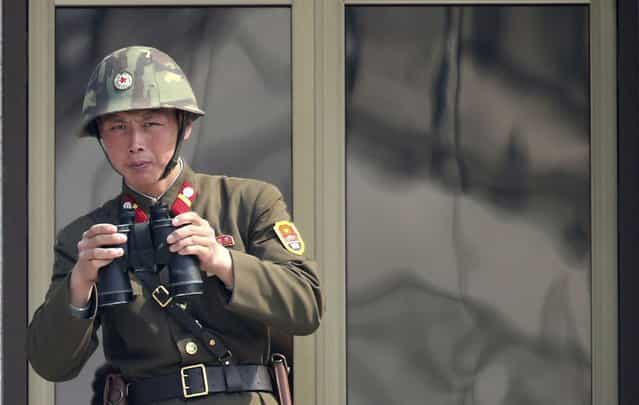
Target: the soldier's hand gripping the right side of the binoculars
(196, 237)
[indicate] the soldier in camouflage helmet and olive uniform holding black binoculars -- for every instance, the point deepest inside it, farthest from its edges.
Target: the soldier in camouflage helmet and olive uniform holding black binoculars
(214, 346)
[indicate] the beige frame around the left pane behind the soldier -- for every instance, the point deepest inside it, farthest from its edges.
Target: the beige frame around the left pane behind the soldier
(41, 155)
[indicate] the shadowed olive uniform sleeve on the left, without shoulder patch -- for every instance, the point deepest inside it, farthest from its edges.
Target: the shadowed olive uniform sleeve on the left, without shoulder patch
(58, 342)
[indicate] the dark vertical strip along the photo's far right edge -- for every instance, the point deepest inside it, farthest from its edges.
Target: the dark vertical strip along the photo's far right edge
(628, 194)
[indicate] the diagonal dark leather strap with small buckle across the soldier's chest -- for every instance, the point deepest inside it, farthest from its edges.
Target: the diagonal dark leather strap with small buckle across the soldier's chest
(162, 297)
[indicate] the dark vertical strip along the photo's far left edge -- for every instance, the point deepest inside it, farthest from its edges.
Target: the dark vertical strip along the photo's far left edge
(14, 194)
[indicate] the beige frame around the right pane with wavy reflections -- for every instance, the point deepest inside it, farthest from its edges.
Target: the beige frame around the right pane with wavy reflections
(603, 175)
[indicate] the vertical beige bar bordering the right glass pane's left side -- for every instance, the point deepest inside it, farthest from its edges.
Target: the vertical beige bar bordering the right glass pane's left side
(331, 233)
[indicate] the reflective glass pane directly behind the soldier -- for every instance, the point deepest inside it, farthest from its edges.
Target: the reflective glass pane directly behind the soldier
(238, 60)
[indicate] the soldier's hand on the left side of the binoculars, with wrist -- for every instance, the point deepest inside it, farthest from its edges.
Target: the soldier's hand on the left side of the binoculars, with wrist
(93, 254)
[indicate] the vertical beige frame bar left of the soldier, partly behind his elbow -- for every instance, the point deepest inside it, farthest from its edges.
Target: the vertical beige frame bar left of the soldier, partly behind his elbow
(41, 169)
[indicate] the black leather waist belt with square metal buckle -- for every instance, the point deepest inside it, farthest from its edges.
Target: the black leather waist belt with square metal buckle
(200, 380)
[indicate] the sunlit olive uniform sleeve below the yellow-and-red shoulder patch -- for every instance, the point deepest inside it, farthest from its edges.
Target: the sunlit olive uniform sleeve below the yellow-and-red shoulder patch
(272, 285)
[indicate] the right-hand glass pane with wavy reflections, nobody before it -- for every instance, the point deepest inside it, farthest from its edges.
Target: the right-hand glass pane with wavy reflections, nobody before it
(468, 205)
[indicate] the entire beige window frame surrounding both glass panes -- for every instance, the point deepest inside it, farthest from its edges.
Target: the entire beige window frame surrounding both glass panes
(318, 177)
